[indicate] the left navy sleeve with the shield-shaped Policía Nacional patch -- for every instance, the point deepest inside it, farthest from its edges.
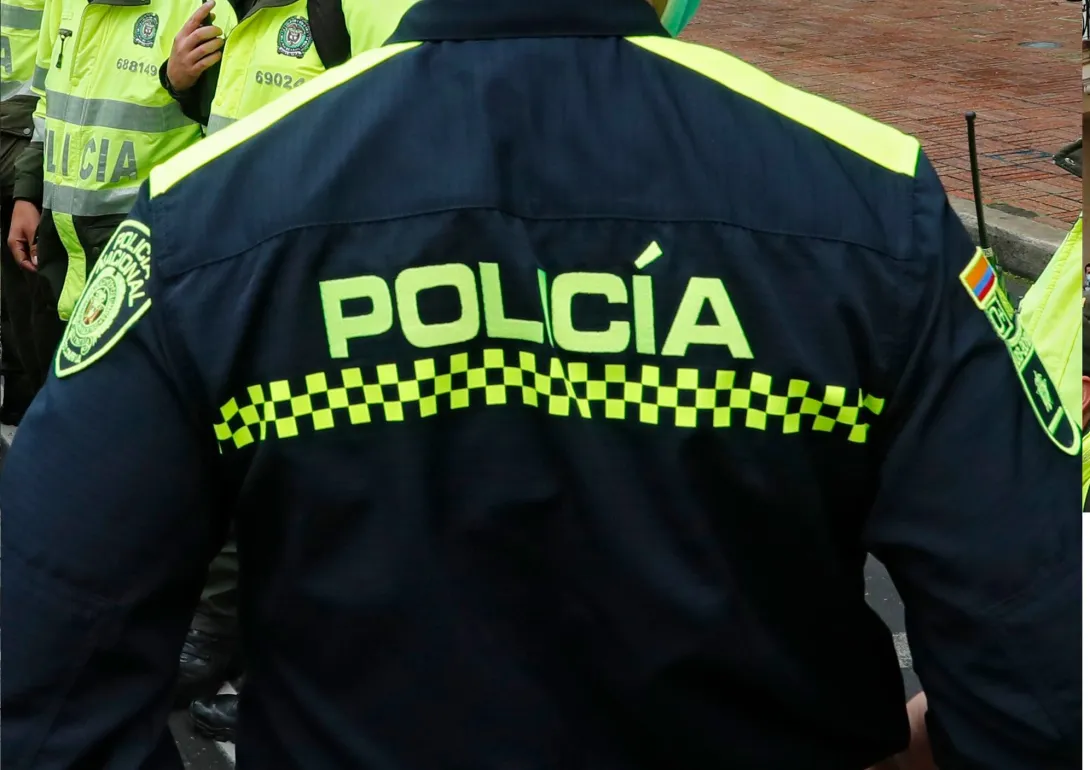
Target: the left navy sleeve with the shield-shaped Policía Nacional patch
(110, 524)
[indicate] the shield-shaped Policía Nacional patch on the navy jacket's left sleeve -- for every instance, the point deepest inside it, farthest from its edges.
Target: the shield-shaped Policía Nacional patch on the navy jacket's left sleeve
(112, 303)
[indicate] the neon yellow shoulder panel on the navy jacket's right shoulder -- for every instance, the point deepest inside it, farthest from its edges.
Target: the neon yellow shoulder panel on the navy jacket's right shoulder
(877, 142)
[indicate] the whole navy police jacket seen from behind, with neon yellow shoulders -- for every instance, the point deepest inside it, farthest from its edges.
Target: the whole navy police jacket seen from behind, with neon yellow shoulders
(559, 378)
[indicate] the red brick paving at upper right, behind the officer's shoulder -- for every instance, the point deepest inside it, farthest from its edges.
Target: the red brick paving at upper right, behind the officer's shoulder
(919, 65)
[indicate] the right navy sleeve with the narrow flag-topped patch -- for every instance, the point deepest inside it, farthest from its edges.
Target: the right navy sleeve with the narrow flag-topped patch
(977, 516)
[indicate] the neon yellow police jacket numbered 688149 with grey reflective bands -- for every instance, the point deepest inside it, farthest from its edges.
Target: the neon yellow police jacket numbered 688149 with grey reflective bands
(107, 119)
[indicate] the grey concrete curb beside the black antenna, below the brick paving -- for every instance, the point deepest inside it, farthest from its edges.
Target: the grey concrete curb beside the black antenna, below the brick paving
(1022, 246)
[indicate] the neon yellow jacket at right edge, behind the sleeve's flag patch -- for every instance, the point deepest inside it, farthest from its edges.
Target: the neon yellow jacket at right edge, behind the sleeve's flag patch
(1052, 314)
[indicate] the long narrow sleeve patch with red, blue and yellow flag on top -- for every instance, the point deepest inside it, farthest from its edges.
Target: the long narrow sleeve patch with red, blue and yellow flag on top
(980, 281)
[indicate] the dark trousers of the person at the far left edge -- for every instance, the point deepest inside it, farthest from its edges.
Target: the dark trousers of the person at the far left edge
(32, 330)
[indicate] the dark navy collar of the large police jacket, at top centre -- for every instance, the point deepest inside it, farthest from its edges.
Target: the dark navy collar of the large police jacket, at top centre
(469, 20)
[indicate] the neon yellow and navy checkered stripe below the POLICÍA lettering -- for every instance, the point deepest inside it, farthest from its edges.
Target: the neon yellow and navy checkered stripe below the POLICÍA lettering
(651, 394)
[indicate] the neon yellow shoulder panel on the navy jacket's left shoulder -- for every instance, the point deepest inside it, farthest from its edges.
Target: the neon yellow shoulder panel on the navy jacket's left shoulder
(168, 175)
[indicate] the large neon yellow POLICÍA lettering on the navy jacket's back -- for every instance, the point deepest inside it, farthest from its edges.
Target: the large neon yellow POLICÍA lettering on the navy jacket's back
(480, 294)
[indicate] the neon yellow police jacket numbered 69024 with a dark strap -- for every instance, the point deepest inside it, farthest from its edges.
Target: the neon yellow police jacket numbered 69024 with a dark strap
(272, 52)
